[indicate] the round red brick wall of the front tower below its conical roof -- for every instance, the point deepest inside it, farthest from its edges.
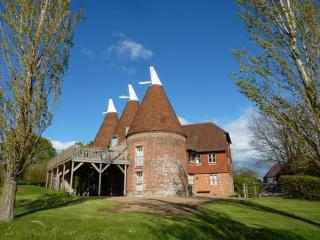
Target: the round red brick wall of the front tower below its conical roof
(163, 154)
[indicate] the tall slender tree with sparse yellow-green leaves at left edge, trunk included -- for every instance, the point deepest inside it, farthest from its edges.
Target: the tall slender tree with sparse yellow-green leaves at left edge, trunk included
(35, 41)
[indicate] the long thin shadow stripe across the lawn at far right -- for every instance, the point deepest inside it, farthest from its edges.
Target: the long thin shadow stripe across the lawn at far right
(258, 207)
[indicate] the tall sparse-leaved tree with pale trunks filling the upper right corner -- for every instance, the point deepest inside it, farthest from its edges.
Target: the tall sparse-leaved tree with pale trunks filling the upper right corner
(282, 77)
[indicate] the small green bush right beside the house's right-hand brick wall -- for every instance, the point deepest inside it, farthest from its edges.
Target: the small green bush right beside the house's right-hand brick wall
(254, 185)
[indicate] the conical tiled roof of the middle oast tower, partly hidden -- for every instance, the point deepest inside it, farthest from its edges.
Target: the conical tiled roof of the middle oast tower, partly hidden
(127, 117)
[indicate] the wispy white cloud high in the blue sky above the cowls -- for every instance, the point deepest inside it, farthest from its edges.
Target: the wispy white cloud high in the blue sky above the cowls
(127, 48)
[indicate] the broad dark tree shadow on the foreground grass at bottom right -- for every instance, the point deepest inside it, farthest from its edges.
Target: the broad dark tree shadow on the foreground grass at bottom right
(207, 224)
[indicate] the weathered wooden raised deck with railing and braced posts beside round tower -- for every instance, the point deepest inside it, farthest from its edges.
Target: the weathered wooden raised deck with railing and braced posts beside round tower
(62, 168)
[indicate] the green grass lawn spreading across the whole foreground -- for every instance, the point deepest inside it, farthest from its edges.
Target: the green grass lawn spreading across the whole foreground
(43, 214)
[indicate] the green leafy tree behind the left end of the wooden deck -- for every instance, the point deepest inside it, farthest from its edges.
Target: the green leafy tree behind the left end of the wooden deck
(36, 172)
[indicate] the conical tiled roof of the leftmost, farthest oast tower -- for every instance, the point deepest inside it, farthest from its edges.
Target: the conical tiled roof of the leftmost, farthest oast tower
(106, 130)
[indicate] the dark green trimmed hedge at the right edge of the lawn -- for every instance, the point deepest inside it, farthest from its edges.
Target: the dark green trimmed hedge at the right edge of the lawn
(300, 187)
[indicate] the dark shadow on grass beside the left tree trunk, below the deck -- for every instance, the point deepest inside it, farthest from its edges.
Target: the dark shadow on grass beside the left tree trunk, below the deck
(45, 202)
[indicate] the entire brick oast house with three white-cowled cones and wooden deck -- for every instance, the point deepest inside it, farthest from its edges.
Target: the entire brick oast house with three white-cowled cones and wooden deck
(147, 153)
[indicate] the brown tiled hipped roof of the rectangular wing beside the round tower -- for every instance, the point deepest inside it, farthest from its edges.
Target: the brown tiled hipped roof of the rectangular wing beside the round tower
(206, 137)
